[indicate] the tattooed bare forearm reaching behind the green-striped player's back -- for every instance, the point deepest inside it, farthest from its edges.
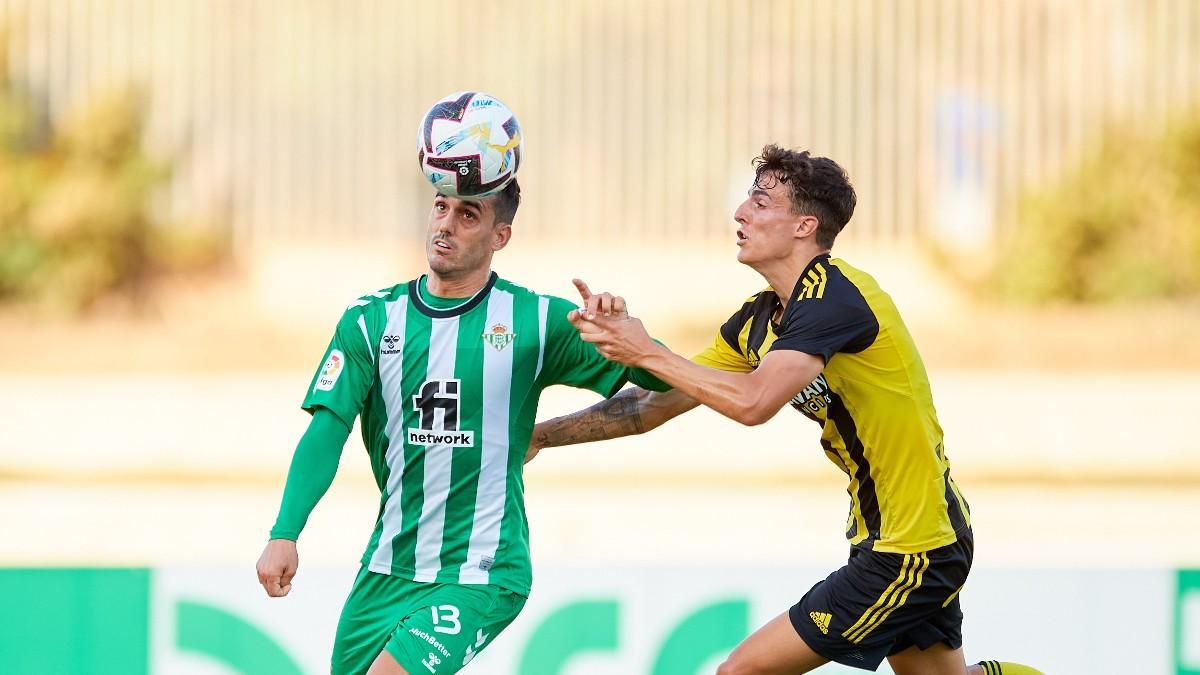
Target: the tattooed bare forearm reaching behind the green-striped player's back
(629, 413)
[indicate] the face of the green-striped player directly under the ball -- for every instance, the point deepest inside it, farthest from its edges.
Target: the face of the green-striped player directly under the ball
(463, 236)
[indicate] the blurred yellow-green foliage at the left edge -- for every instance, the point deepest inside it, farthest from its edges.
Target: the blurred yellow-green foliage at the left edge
(76, 223)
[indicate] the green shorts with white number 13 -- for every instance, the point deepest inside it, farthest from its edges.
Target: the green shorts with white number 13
(430, 629)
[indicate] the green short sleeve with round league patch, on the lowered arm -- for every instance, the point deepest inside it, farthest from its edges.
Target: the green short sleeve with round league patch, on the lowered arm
(347, 372)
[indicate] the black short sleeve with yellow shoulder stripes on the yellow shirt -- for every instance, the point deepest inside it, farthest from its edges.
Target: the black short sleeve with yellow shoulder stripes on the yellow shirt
(842, 321)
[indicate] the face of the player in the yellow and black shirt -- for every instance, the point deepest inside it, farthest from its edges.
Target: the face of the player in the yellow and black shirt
(766, 223)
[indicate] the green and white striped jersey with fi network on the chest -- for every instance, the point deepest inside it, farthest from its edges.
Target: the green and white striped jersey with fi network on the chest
(448, 399)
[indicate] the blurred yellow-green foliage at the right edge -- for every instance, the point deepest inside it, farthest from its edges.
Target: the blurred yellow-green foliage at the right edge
(1123, 226)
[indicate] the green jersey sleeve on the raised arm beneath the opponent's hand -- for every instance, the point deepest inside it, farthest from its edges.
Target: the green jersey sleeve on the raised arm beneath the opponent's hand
(571, 361)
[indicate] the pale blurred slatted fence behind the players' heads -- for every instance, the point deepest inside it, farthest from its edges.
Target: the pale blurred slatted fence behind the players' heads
(291, 120)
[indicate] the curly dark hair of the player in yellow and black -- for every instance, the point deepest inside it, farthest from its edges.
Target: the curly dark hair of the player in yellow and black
(820, 188)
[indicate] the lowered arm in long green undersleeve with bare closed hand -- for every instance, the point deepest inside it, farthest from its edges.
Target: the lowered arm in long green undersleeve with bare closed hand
(313, 471)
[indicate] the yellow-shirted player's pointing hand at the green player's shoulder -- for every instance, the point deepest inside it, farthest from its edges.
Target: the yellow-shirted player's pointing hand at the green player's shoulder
(605, 322)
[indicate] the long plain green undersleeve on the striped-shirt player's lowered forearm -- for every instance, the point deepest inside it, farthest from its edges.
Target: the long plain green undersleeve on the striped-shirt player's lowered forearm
(313, 471)
